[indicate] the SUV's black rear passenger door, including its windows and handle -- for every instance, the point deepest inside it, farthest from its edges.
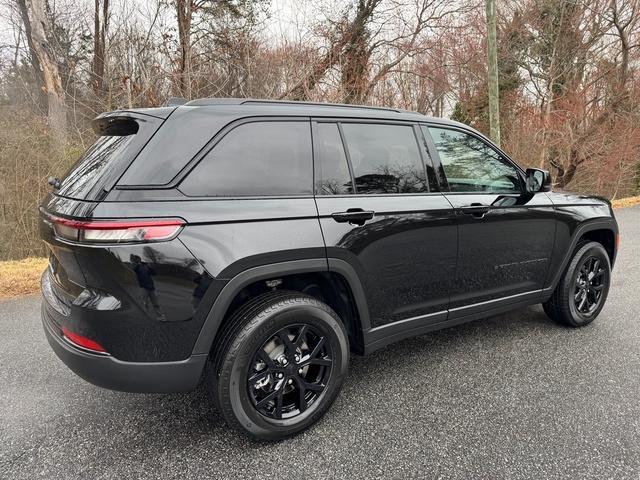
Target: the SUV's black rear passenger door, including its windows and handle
(382, 213)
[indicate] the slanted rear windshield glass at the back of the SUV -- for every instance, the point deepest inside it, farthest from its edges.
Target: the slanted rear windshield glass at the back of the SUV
(120, 140)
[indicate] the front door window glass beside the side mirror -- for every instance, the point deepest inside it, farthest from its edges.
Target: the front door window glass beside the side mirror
(471, 165)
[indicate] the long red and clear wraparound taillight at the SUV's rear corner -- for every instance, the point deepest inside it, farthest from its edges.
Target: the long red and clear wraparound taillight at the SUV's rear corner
(109, 231)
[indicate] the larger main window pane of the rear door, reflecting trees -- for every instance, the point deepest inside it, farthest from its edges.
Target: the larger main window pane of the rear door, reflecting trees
(385, 158)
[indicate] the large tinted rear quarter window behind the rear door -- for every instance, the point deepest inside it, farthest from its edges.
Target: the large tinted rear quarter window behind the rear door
(257, 158)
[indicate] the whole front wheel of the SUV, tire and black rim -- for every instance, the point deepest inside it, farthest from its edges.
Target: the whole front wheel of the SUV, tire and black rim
(582, 291)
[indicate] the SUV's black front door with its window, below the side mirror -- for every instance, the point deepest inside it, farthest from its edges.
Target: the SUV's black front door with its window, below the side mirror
(505, 235)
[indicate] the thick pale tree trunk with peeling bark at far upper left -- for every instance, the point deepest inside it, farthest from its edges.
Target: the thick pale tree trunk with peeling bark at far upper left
(38, 30)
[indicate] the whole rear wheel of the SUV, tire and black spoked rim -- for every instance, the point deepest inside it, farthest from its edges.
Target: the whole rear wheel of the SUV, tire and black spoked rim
(270, 388)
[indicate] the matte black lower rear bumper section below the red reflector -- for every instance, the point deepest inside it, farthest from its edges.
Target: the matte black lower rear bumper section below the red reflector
(108, 372)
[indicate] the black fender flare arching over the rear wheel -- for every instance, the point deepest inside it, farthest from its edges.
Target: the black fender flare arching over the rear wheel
(221, 304)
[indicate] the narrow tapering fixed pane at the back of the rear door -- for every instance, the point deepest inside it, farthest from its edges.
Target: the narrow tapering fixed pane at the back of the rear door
(332, 170)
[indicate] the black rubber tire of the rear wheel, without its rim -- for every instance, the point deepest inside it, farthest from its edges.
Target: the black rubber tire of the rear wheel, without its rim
(233, 392)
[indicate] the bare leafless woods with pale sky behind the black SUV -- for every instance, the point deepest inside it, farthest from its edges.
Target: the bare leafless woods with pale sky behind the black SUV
(568, 76)
